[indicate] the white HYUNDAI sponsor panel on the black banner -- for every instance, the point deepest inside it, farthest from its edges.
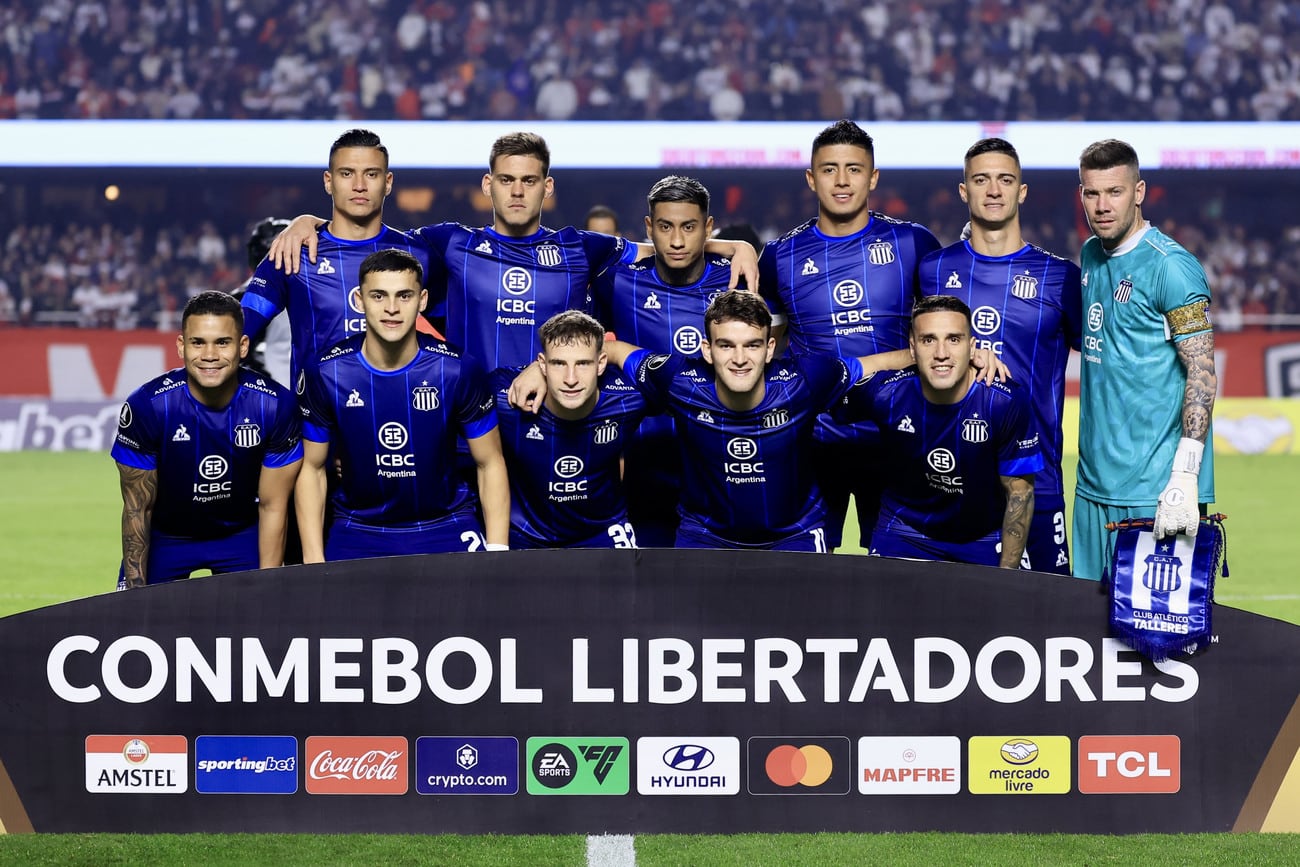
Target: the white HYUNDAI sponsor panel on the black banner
(688, 766)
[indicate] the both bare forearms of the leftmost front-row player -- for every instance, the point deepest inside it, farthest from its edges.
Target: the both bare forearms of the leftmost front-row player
(140, 495)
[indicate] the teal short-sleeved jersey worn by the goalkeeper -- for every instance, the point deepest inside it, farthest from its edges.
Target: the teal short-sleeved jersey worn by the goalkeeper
(1132, 382)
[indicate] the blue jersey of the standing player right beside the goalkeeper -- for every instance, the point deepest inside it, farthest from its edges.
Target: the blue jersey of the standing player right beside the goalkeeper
(1028, 309)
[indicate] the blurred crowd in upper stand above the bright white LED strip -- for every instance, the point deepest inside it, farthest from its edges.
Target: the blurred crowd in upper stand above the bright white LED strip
(1181, 60)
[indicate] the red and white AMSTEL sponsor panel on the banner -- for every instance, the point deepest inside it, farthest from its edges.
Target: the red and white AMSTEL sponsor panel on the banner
(137, 764)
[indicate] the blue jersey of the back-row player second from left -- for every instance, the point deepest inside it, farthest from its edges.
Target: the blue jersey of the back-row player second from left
(495, 292)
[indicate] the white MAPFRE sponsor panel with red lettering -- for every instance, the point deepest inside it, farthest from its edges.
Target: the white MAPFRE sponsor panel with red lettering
(909, 765)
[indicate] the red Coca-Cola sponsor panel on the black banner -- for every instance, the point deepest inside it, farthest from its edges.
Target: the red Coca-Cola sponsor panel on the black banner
(357, 766)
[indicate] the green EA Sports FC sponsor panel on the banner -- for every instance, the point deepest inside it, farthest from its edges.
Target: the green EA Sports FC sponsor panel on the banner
(578, 766)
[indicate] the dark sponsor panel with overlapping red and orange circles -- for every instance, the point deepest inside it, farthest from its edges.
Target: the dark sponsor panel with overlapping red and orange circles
(799, 765)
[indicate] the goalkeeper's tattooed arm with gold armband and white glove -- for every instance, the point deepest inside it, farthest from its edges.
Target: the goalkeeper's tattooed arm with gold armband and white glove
(1178, 508)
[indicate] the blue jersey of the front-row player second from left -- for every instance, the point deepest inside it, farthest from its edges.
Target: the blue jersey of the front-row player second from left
(396, 431)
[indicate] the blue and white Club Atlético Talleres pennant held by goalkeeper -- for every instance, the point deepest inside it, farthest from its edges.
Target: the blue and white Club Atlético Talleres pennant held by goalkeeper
(1163, 591)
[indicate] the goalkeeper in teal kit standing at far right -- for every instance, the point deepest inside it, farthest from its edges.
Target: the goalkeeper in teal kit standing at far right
(1147, 383)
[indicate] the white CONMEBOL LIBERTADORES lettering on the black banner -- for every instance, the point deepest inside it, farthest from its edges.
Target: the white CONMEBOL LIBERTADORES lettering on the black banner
(1007, 670)
